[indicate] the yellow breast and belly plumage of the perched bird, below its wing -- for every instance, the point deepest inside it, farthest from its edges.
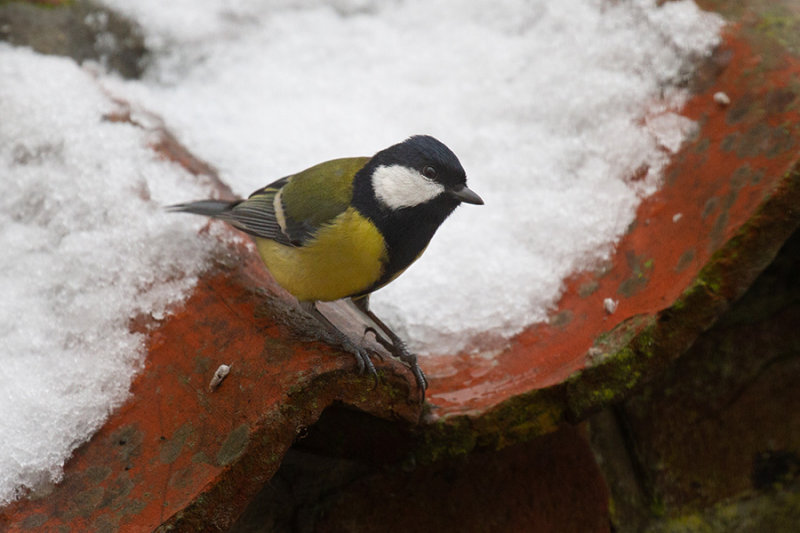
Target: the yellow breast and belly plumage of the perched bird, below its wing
(346, 256)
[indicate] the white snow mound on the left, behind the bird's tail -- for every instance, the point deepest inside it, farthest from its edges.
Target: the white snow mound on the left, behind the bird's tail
(86, 248)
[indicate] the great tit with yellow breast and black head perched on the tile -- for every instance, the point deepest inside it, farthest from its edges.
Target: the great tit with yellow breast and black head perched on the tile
(345, 228)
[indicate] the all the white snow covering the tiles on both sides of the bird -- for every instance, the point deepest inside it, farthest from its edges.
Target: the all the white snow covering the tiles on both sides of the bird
(552, 108)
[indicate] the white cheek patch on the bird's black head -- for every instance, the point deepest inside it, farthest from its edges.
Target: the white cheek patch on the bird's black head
(397, 186)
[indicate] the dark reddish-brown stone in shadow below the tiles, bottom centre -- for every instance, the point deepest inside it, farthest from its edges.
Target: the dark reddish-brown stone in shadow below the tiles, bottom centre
(549, 485)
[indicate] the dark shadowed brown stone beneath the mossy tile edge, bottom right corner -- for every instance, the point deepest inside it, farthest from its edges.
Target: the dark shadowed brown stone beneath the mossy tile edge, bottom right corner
(713, 444)
